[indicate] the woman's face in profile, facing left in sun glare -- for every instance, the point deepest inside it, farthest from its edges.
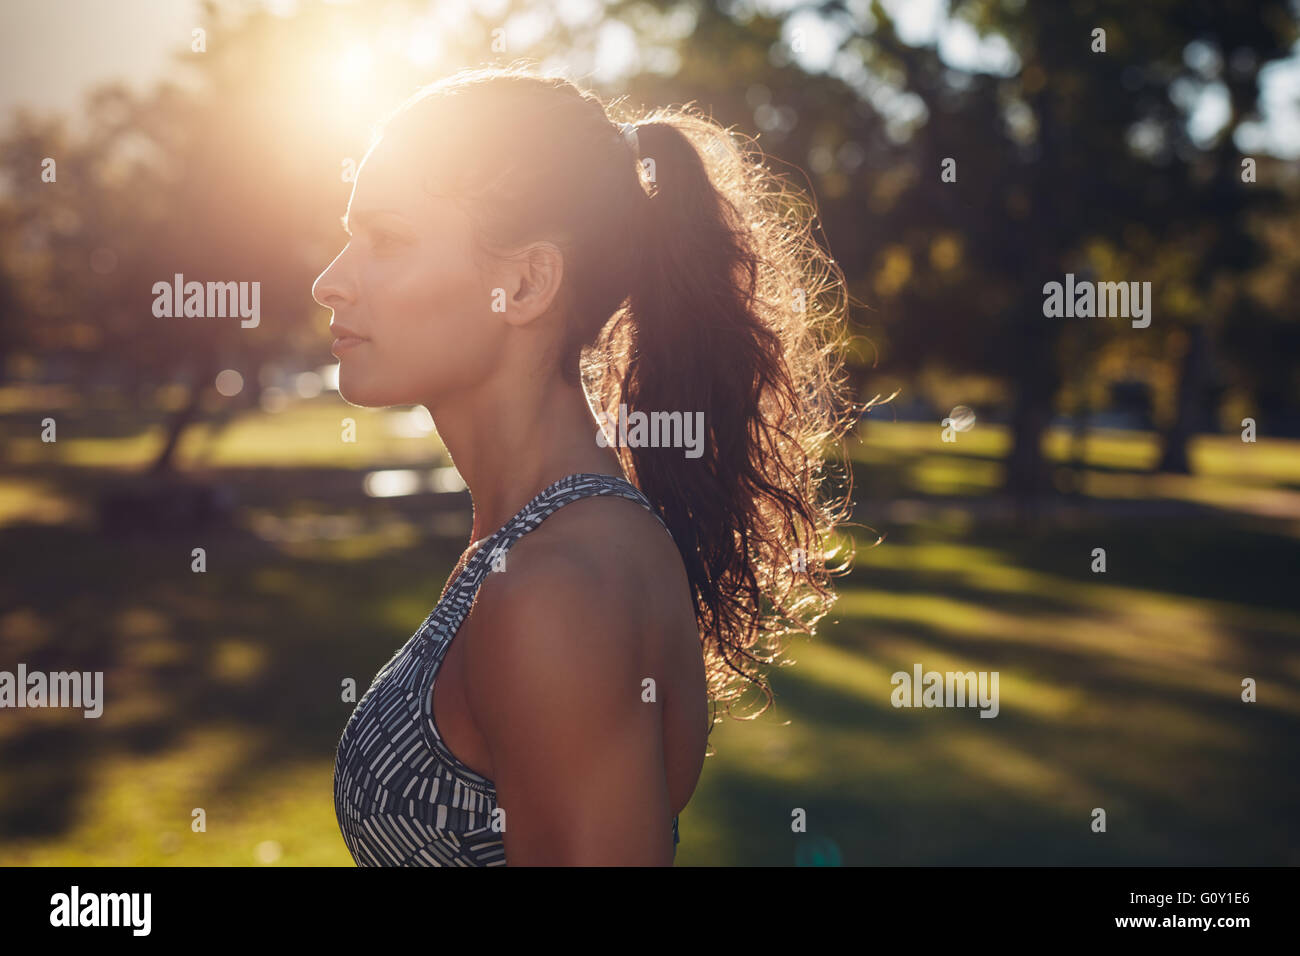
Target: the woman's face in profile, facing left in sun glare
(408, 285)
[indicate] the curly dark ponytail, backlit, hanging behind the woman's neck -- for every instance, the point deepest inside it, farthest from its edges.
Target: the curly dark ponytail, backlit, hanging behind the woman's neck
(729, 317)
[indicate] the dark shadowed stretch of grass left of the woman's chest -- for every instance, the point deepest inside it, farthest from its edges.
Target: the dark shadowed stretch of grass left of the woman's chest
(294, 628)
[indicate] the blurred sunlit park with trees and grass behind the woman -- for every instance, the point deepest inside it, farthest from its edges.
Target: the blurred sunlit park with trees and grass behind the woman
(219, 140)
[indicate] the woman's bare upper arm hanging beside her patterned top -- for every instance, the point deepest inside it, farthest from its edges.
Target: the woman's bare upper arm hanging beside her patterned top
(554, 681)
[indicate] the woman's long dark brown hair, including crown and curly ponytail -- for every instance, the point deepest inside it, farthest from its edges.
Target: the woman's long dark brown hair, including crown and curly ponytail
(692, 282)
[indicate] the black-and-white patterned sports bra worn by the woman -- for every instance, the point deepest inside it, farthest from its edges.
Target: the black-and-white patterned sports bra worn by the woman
(401, 797)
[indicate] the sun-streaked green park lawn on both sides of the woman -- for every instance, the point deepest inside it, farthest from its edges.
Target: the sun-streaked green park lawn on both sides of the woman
(1120, 691)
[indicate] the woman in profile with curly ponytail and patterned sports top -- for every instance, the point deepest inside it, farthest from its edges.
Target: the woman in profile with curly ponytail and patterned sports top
(539, 278)
